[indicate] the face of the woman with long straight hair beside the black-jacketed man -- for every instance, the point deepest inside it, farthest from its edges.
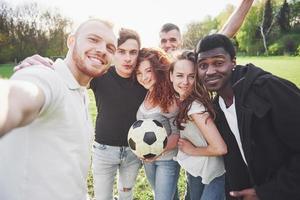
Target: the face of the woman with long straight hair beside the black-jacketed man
(183, 77)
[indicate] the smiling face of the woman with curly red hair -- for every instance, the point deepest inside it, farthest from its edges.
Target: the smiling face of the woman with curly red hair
(145, 75)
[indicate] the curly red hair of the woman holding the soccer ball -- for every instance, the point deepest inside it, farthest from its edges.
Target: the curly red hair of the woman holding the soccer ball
(162, 94)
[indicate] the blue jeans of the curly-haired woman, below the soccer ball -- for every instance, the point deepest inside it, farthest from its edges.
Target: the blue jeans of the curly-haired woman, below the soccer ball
(163, 176)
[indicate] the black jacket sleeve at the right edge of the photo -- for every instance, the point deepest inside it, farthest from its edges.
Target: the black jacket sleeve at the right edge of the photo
(284, 98)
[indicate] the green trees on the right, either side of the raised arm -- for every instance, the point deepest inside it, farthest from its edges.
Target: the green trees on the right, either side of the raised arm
(272, 27)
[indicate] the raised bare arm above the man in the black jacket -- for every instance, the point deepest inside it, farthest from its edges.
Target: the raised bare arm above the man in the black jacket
(236, 19)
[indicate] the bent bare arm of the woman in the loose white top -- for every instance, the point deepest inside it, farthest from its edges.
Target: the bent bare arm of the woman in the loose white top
(215, 143)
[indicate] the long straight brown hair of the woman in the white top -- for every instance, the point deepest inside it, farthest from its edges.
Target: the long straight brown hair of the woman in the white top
(199, 92)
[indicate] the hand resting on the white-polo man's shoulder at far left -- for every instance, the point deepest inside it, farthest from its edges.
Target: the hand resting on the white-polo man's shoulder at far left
(34, 60)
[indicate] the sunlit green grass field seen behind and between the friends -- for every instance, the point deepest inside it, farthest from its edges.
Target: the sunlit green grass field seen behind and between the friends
(286, 67)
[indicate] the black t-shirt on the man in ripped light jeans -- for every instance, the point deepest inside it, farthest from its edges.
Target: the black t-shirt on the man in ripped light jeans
(117, 101)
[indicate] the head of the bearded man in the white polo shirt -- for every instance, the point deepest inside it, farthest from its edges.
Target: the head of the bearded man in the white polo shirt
(93, 47)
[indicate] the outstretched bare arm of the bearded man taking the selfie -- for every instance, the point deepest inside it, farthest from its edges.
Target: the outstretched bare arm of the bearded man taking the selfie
(20, 102)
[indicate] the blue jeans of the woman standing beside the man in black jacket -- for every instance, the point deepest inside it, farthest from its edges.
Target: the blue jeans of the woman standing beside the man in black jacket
(215, 190)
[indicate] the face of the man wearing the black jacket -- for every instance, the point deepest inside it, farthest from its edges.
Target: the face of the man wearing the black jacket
(214, 69)
